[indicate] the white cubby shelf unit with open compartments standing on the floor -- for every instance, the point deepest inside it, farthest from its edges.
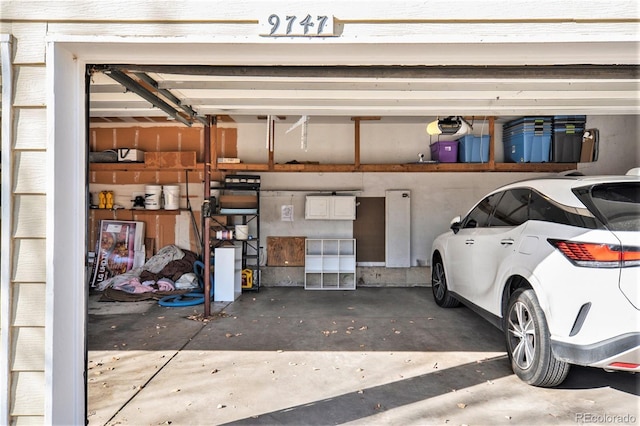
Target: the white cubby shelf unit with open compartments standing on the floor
(330, 264)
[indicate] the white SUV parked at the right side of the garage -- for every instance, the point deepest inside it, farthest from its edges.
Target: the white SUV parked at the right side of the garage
(555, 263)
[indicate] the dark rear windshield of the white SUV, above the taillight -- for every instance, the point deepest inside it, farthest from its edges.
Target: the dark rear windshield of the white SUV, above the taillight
(616, 204)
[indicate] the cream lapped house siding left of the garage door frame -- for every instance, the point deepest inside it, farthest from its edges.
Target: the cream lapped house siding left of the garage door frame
(27, 270)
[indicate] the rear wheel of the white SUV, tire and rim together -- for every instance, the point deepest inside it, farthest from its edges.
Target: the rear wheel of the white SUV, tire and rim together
(528, 343)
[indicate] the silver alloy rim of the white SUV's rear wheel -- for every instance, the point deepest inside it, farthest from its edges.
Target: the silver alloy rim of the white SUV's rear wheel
(522, 339)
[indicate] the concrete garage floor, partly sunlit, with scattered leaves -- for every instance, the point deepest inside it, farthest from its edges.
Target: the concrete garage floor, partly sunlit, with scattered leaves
(386, 356)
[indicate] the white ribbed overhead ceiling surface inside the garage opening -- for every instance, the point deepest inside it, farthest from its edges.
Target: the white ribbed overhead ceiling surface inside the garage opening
(365, 92)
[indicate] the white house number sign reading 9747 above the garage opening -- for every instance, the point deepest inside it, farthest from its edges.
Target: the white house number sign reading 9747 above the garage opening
(303, 25)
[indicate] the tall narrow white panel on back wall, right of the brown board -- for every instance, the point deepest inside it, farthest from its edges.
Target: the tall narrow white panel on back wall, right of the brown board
(398, 229)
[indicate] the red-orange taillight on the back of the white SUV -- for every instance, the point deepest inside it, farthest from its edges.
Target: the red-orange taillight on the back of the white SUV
(598, 255)
